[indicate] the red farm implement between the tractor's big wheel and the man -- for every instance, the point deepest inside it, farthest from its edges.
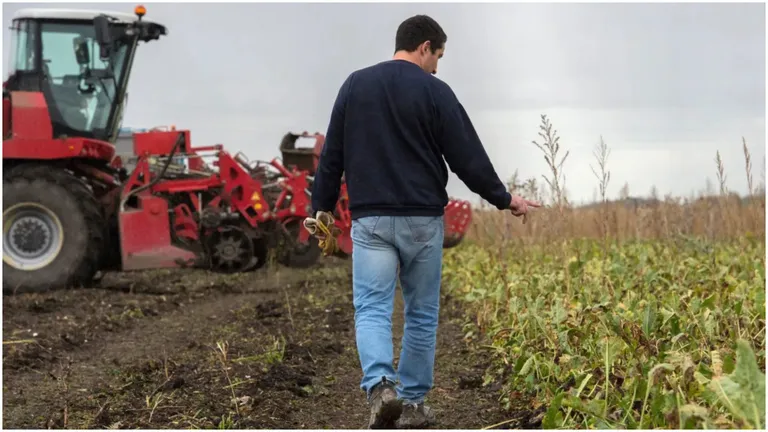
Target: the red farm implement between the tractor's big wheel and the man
(224, 218)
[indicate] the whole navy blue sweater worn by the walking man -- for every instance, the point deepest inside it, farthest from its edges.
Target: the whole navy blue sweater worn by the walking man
(390, 128)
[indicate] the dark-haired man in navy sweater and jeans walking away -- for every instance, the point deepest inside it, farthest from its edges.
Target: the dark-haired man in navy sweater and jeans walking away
(391, 126)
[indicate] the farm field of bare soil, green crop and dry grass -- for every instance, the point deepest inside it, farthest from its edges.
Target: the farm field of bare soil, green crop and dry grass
(633, 313)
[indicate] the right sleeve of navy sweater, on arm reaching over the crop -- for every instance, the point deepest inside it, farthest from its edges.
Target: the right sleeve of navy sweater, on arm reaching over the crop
(466, 156)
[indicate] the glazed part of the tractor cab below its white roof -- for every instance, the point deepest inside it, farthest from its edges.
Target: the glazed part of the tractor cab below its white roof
(61, 58)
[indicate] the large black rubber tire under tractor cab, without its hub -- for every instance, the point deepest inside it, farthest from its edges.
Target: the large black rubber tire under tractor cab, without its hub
(82, 222)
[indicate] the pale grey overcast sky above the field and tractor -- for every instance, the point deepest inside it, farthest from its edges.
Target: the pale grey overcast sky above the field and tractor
(666, 85)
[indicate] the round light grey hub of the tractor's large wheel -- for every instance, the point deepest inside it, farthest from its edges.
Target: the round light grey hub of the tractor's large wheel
(32, 236)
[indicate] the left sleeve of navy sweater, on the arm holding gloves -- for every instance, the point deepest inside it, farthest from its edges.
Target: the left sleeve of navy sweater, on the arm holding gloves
(330, 167)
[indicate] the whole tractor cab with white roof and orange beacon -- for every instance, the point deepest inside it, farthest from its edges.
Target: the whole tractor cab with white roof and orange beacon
(80, 61)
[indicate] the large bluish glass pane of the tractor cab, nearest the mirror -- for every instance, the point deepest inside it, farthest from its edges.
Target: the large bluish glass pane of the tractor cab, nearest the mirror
(83, 94)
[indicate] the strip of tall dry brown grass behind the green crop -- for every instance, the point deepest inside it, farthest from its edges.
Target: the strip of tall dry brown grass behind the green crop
(710, 216)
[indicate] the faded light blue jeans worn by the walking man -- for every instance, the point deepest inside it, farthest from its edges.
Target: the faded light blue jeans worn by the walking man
(382, 245)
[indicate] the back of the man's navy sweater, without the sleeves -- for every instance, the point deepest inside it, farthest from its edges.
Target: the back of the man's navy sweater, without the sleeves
(393, 161)
